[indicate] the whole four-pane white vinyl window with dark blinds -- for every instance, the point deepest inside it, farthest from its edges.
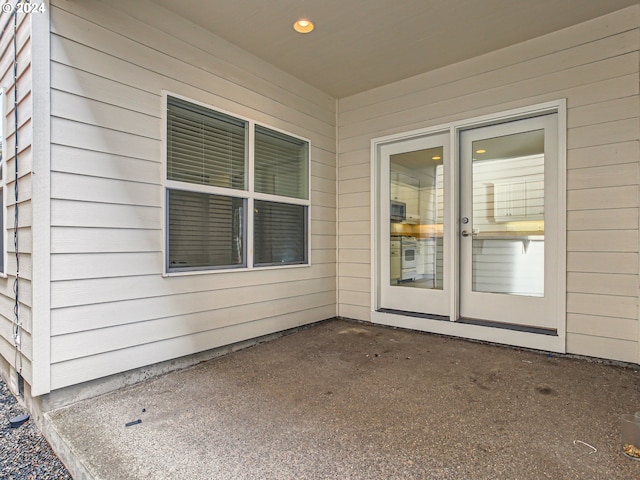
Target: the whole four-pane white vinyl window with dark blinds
(237, 193)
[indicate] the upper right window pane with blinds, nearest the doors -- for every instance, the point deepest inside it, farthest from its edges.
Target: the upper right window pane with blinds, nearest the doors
(281, 164)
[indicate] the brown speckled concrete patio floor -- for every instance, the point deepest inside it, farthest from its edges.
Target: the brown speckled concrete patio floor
(343, 400)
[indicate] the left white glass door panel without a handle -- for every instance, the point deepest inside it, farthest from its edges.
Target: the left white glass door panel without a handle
(413, 232)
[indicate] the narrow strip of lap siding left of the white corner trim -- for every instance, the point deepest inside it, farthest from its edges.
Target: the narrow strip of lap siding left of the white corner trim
(24, 206)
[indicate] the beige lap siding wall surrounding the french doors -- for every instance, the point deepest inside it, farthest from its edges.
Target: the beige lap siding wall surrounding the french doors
(594, 66)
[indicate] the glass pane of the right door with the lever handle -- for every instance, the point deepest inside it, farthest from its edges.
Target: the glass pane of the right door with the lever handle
(508, 214)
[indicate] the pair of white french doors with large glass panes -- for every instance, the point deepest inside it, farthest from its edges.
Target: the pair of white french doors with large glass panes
(473, 237)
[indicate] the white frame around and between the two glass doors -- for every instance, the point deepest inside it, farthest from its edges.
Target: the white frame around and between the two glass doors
(555, 343)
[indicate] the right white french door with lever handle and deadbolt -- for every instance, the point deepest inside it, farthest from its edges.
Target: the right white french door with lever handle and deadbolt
(508, 224)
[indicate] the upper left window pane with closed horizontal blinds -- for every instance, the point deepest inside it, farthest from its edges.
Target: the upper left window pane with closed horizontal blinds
(204, 146)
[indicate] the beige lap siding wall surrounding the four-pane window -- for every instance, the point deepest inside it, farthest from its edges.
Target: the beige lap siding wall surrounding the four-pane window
(112, 310)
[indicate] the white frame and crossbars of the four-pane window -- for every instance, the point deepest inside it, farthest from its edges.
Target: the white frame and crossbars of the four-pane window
(249, 195)
